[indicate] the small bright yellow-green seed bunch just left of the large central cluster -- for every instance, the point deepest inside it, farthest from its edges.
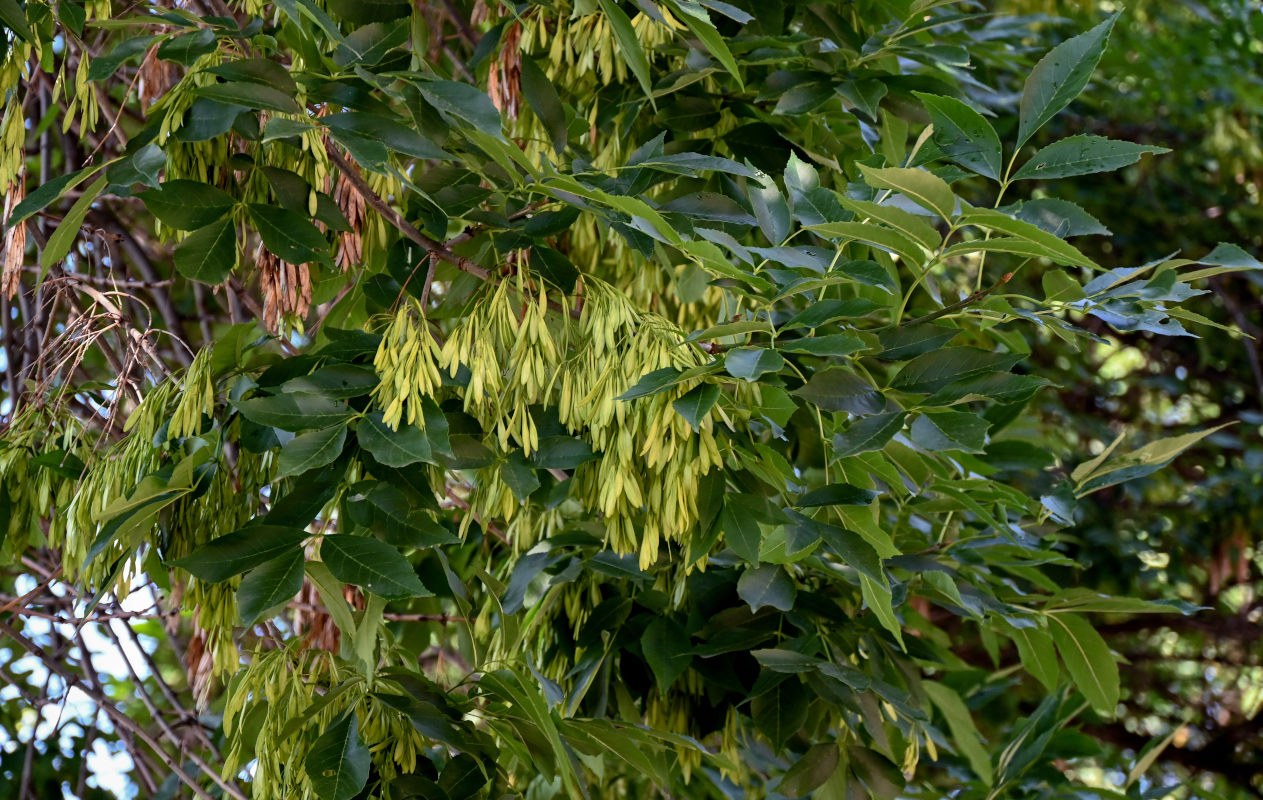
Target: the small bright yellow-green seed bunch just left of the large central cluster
(407, 365)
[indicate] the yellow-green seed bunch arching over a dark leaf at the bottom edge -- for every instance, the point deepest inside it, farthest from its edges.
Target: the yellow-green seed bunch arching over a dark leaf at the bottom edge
(281, 687)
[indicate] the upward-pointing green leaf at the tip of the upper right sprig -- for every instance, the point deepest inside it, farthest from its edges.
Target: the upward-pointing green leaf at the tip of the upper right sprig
(1059, 78)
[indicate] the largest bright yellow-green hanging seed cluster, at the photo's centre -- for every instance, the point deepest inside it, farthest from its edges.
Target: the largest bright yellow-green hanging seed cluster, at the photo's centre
(521, 356)
